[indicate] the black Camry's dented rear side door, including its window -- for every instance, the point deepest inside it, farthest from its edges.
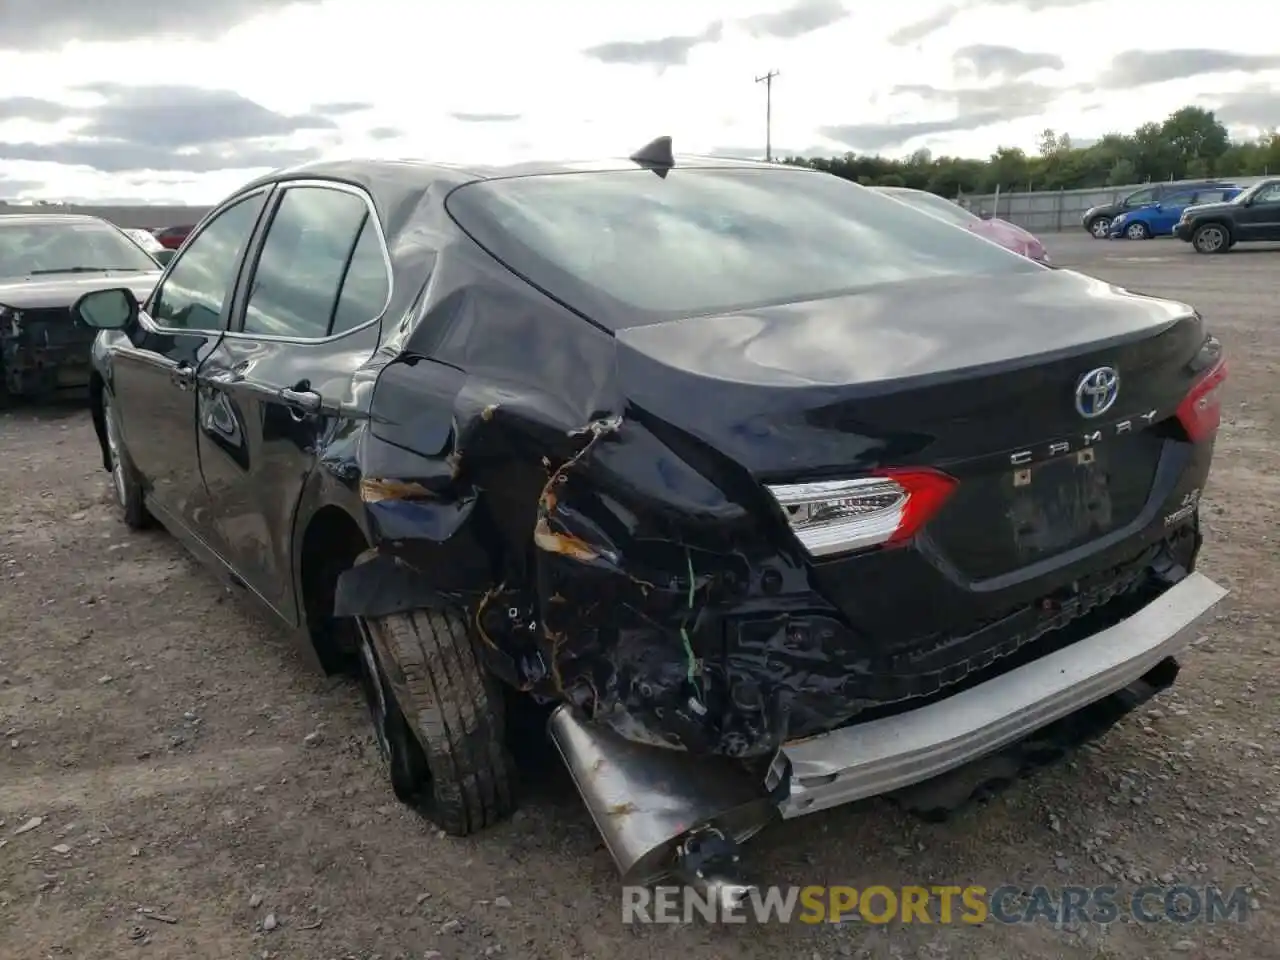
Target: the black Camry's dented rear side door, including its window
(272, 391)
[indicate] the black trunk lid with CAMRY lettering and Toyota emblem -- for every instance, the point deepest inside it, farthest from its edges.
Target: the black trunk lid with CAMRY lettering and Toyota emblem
(977, 378)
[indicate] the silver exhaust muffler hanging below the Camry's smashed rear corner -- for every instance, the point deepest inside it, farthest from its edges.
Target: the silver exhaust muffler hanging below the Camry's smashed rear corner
(665, 813)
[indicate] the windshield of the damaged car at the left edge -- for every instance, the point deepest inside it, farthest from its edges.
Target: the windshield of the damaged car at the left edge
(48, 248)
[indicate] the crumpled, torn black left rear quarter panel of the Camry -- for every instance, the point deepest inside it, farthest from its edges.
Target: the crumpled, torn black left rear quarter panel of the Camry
(504, 473)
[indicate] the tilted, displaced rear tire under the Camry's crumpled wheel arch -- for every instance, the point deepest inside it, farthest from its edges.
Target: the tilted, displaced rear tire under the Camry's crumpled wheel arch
(444, 725)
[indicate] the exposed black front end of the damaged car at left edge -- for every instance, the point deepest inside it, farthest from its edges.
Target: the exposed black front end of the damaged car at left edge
(43, 350)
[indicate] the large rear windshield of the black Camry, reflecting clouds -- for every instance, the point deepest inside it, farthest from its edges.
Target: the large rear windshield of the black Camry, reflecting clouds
(629, 248)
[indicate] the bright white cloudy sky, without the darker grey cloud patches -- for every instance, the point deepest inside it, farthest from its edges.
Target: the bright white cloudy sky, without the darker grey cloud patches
(417, 67)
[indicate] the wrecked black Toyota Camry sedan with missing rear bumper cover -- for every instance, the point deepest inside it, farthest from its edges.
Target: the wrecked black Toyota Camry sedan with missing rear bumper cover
(725, 464)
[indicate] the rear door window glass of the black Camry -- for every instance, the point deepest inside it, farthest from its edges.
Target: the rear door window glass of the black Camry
(299, 276)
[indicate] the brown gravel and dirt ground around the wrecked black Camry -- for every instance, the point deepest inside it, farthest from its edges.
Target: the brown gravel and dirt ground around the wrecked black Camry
(200, 794)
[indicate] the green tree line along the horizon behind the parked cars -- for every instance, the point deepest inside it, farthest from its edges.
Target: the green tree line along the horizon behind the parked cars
(1191, 143)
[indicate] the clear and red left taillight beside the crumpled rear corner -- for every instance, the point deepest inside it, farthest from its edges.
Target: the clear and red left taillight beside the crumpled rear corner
(888, 509)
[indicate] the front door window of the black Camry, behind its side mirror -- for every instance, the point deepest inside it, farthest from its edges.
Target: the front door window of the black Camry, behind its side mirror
(200, 281)
